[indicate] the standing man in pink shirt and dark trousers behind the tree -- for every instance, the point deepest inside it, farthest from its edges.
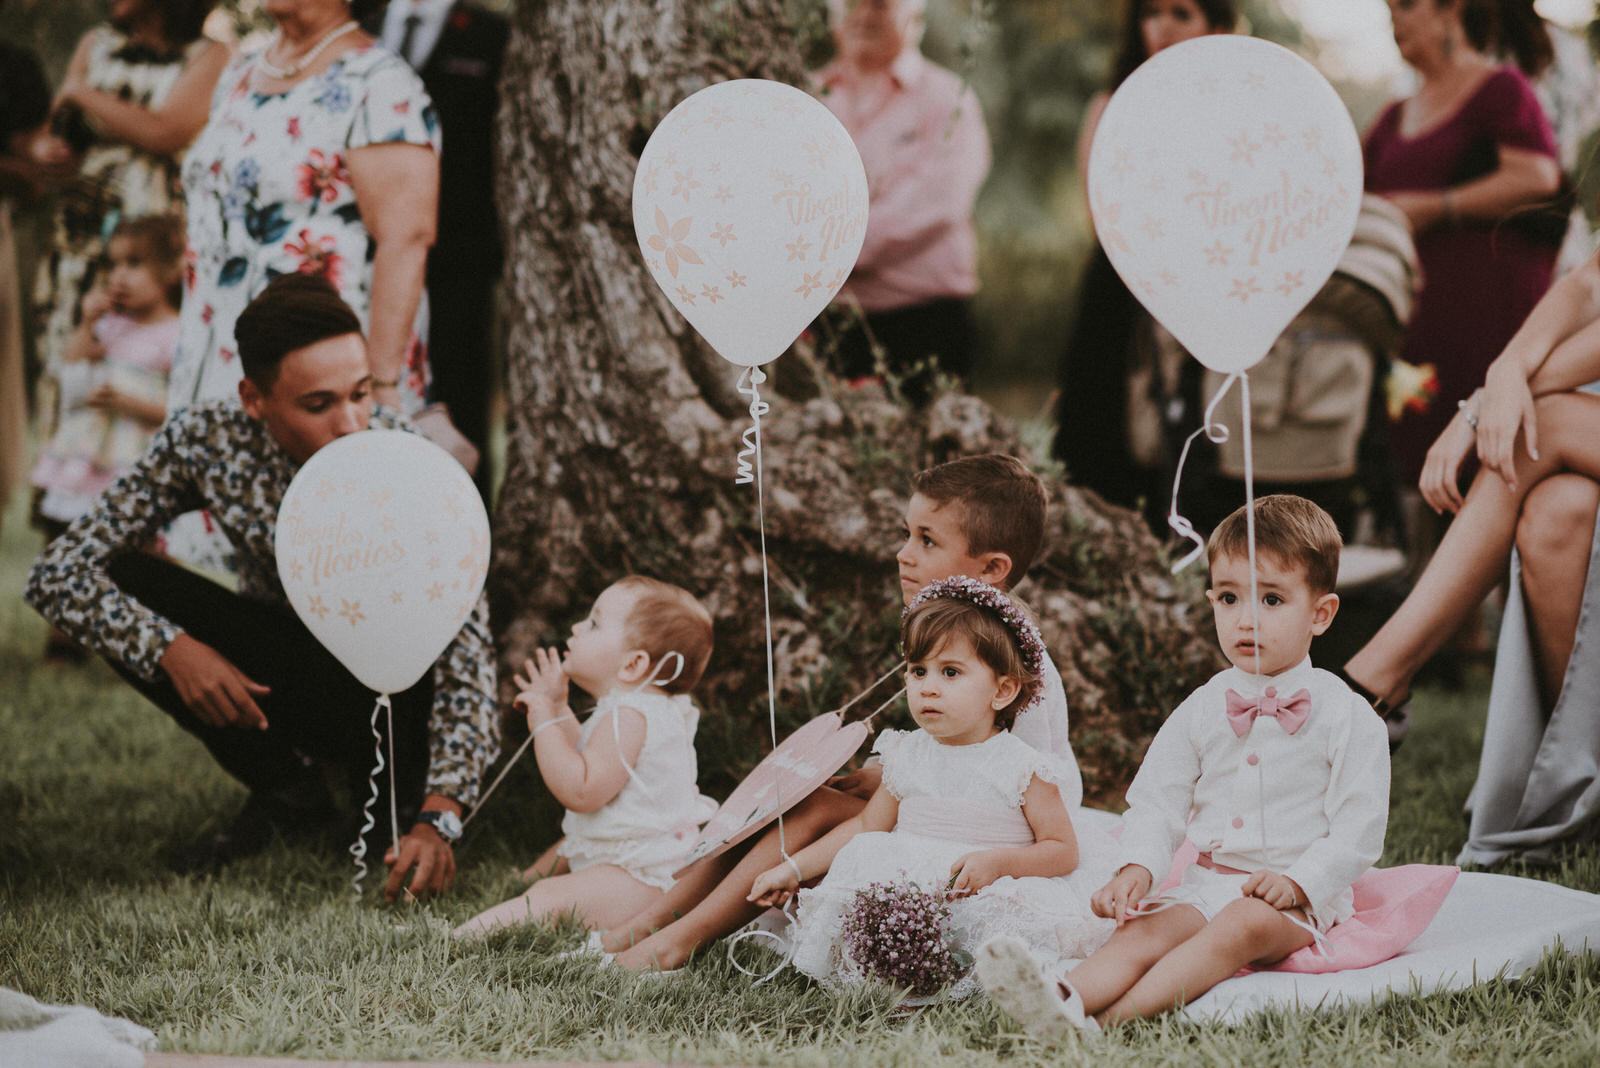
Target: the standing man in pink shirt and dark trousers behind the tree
(922, 138)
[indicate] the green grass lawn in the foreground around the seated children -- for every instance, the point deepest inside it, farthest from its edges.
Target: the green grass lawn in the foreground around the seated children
(274, 957)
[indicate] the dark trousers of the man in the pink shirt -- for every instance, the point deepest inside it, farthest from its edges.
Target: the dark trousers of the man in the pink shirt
(919, 343)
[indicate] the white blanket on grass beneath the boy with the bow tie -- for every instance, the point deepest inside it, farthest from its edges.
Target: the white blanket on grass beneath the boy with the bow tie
(1489, 927)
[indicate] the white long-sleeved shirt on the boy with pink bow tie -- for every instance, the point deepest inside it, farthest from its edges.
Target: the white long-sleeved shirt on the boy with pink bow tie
(1313, 807)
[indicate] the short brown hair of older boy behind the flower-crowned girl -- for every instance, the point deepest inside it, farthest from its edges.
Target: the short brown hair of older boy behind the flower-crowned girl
(1002, 506)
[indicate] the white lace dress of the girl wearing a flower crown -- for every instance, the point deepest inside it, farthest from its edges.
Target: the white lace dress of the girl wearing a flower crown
(954, 800)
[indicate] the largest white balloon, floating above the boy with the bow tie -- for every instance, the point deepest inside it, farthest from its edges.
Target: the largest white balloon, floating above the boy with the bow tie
(1225, 185)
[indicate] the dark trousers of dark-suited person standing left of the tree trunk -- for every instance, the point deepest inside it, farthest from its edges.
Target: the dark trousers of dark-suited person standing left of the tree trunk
(462, 356)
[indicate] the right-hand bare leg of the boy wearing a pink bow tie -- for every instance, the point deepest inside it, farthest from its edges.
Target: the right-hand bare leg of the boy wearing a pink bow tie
(1246, 933)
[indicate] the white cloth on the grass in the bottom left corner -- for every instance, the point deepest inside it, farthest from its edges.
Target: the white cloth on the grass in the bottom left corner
(36, 1035)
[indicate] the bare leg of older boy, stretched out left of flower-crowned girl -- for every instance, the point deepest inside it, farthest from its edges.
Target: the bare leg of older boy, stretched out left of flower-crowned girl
(726, 911)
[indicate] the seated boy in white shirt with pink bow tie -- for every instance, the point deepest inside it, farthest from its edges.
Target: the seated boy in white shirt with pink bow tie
(1278, 773)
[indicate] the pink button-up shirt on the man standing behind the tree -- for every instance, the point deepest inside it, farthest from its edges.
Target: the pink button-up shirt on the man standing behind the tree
(927, 154)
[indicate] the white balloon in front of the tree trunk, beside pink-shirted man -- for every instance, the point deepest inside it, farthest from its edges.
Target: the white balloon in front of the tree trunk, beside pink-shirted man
(751, 205)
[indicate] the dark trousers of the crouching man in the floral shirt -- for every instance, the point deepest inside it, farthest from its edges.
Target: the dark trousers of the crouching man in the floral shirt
(318, 712)
